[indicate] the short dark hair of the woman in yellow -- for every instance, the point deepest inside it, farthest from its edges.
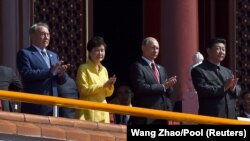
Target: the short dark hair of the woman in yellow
(95, 42)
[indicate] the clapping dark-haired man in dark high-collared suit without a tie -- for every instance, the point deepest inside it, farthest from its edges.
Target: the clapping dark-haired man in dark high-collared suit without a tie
(215, 84)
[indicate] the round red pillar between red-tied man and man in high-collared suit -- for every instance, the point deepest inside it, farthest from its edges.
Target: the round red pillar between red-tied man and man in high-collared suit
(179, 42)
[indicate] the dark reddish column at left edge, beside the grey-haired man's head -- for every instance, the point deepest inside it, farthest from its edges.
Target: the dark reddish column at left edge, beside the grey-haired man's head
(15, 20)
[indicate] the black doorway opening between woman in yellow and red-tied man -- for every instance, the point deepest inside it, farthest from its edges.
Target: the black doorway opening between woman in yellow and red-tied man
(120, 23)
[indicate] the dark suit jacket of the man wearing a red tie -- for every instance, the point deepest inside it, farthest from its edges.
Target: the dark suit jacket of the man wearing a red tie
(148, 93)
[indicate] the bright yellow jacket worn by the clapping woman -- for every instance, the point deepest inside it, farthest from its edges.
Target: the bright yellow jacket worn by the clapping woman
(90, 84)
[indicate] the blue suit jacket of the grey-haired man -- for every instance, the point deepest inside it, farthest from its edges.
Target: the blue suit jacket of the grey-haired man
(37, 78)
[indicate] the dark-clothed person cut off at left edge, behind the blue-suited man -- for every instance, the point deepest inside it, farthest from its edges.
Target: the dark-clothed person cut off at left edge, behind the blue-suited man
(9, 81)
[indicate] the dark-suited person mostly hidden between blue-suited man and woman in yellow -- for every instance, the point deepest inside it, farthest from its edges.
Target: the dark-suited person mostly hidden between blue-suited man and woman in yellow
(68, 90)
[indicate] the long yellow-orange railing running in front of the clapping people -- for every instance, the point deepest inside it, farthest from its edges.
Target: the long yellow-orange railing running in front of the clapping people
(135, 111)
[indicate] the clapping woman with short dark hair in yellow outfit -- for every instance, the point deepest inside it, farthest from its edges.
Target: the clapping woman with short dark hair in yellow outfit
(93, 81)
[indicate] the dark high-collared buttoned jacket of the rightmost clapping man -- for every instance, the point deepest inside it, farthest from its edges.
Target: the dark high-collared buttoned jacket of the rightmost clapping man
(213, 100)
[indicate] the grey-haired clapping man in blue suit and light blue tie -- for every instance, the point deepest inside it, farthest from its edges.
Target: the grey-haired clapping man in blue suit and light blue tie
(40, 69)
